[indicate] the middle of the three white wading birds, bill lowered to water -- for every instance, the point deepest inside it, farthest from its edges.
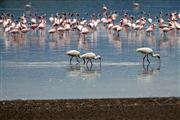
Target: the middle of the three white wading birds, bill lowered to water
(89, 56)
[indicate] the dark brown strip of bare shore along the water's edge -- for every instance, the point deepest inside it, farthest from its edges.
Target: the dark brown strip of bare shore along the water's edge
(92, 109)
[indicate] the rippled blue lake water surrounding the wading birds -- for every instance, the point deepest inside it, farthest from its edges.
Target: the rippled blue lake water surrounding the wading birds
(36, 67)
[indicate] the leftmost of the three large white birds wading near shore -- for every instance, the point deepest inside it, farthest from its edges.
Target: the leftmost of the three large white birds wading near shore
(73, 53)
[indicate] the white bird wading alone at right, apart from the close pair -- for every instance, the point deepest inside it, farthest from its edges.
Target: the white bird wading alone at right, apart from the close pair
(147, 51)
